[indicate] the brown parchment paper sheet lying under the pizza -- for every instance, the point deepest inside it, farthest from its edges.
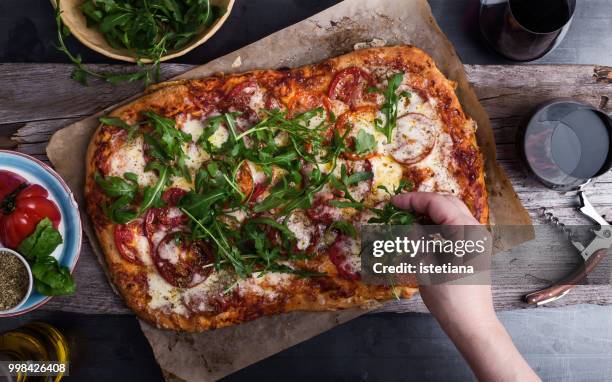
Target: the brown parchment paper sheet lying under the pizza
(212, 355)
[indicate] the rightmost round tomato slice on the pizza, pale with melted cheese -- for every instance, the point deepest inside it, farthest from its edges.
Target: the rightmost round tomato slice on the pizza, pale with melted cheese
(413, 139)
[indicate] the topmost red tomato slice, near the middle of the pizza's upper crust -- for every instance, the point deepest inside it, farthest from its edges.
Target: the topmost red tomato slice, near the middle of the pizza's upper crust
(350, 86)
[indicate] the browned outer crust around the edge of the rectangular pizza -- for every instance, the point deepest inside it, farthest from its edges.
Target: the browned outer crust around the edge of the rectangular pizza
(293, 88)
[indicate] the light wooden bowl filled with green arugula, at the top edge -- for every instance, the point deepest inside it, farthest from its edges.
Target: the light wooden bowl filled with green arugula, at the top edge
(142, 31)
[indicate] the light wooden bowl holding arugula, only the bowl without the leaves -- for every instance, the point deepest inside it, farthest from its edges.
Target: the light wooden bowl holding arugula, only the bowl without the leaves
(75, 20)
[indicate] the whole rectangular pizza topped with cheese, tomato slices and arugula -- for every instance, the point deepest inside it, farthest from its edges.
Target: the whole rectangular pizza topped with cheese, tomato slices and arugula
(223, 199)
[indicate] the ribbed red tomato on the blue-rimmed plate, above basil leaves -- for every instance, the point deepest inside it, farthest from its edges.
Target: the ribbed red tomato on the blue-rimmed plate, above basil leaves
(21, 209)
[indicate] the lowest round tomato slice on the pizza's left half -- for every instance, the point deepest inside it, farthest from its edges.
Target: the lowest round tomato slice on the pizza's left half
(181, 262)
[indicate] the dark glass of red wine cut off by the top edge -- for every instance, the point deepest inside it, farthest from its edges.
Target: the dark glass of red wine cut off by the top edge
(525, 30)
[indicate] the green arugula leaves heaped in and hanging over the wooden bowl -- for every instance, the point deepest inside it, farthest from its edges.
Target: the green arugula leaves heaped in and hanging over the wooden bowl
(149, 29)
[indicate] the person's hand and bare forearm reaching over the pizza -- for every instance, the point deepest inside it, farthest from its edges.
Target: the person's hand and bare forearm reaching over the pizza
(465, 312)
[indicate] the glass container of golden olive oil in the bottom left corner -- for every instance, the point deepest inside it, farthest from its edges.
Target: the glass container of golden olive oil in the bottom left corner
(37, 342)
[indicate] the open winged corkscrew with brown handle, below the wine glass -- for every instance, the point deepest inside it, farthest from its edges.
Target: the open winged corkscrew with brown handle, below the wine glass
(592, 253)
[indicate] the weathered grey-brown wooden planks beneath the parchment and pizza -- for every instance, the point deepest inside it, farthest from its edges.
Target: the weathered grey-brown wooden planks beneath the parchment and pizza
(38, 99)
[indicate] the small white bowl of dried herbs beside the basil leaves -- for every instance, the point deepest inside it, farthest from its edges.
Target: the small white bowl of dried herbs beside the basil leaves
(16, 281)
